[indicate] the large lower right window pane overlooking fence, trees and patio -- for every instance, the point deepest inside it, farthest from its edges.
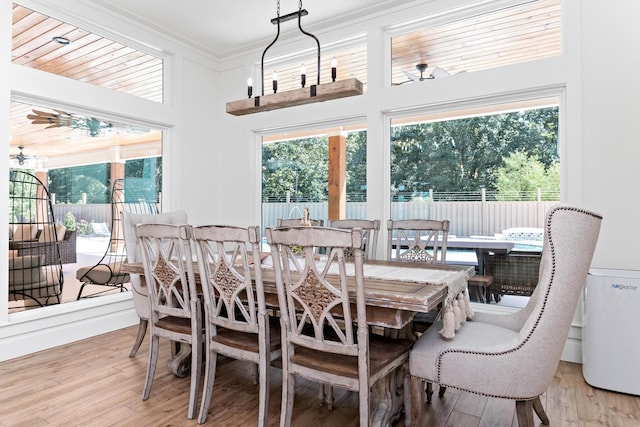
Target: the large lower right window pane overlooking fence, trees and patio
(493, 174)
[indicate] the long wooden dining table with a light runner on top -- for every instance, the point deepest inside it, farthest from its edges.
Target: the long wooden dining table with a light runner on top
(394, 292)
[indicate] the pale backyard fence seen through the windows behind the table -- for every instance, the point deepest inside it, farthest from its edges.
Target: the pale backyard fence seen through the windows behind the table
(467, 218)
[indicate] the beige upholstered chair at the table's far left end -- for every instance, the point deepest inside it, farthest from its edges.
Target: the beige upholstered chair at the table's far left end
(140, 297)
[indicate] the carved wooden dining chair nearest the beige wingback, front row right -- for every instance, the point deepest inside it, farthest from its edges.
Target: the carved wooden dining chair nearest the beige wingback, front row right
(323, 339)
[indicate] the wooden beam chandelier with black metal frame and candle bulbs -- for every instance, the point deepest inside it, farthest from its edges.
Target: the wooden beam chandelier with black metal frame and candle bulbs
(304, 95)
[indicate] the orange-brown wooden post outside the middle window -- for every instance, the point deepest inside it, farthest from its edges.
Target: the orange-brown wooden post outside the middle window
(337, 177)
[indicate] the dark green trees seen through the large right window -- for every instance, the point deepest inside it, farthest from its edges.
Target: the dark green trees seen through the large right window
(465, 154)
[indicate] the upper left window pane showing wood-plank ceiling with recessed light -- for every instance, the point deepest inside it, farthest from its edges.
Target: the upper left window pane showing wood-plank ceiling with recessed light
(47, 44)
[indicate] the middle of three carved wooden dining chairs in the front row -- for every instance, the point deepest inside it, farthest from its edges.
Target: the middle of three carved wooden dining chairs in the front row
(237, 324)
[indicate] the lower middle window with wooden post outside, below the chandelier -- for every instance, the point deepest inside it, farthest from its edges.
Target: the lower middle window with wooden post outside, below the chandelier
(296, 171)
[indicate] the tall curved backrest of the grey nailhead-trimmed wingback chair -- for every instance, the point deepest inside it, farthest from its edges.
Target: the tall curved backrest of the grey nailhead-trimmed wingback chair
(570, 239)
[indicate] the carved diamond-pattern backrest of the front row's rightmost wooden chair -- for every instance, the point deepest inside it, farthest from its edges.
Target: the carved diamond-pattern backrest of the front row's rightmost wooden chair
(316, 311)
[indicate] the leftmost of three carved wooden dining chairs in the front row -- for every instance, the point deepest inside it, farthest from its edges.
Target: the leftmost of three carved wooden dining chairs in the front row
(175, 312)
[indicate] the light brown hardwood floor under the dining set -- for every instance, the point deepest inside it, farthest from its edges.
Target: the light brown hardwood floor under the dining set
(94, 383)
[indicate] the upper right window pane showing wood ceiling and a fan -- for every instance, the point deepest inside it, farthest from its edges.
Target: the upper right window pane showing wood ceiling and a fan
(507, 36)
